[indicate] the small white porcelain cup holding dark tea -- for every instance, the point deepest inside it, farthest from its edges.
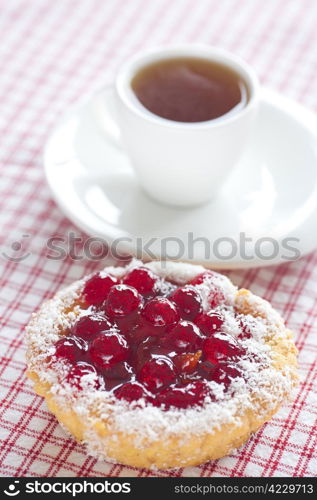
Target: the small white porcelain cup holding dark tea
(179, 163)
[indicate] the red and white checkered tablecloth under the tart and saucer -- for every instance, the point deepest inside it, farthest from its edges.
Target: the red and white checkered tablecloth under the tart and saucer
(55, 53)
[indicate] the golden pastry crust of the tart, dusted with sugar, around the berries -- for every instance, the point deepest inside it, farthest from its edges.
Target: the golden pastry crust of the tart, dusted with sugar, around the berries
(178, 438)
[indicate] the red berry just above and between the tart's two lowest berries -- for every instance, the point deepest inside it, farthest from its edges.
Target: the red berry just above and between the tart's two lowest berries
(157, 373)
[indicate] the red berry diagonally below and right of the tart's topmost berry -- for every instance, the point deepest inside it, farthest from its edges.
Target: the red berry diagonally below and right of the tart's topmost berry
(159, 313)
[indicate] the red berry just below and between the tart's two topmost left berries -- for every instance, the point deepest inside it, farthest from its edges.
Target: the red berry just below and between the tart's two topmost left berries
(122, 301)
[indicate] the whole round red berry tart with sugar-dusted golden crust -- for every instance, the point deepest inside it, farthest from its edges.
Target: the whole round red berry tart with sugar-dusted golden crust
(160, 365)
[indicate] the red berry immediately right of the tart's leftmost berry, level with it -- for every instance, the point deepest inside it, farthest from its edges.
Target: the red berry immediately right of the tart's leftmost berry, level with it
(107, 349)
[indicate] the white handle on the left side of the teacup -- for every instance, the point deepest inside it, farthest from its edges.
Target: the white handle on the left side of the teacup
(105, 112)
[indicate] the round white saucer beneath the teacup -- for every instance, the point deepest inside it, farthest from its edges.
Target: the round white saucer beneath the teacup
(272, 192)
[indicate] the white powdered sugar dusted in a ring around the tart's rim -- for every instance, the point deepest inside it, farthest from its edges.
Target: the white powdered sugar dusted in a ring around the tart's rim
(261, 389)
